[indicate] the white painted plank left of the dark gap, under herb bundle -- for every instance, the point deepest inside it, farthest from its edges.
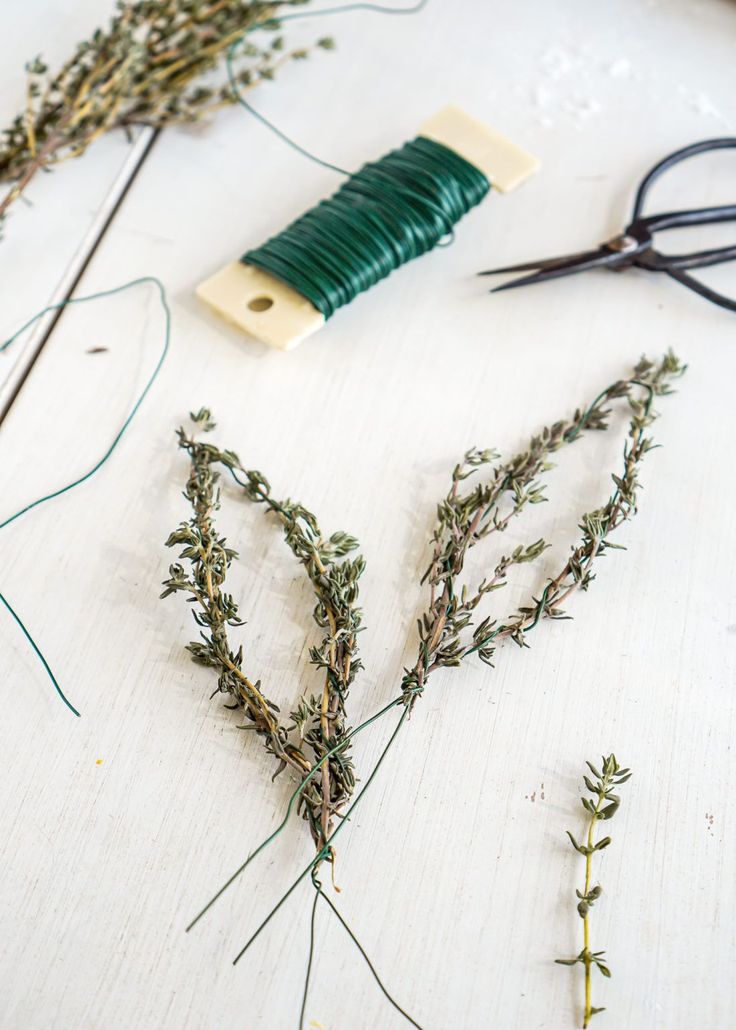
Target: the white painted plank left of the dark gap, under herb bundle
(47, 241)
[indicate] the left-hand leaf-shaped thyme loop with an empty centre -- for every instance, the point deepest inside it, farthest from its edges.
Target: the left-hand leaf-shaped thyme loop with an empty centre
(318, 725)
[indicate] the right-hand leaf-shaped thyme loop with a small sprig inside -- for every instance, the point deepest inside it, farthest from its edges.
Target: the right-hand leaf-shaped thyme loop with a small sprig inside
(467, 518)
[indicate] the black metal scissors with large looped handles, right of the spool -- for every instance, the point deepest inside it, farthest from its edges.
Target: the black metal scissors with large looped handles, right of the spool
(635, 246)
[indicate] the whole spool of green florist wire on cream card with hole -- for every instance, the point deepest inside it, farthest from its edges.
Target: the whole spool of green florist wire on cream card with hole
(388, 214)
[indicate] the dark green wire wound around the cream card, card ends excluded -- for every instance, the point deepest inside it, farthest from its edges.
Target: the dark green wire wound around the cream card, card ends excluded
(388, 214)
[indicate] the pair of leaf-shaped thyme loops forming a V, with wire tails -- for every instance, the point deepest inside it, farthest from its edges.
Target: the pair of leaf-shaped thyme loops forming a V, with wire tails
(449, 630)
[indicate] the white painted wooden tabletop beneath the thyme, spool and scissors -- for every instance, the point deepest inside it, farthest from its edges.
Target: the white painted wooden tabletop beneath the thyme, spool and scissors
(455, 873)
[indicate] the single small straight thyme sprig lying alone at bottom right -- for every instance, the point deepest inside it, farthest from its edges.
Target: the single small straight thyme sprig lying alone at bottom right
(603, 807)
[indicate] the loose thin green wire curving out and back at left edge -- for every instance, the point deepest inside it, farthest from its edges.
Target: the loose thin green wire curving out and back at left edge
(144, 281)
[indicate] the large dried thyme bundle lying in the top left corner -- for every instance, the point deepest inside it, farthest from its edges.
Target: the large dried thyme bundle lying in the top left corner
(146, 70)
